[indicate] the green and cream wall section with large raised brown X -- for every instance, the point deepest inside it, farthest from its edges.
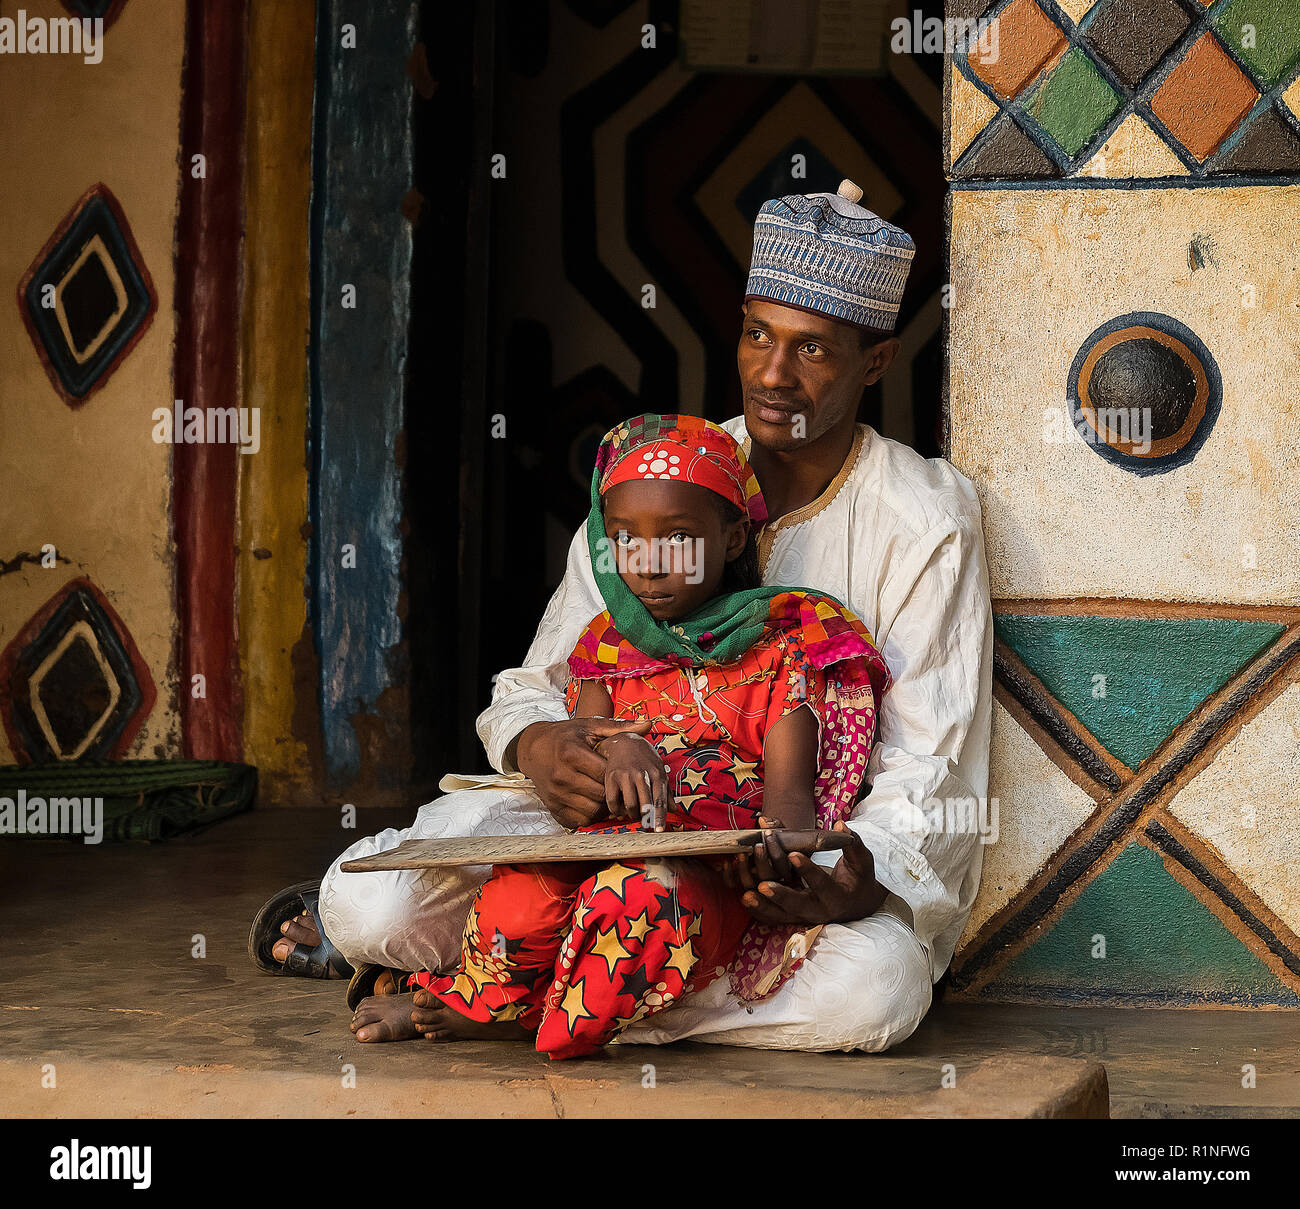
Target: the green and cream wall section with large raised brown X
(1156, 718)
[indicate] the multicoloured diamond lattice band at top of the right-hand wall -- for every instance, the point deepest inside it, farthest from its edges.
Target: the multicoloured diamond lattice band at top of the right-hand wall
(1129, 89)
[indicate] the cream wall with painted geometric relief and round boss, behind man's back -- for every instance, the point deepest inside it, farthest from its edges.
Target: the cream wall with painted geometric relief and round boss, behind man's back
(1123, 349)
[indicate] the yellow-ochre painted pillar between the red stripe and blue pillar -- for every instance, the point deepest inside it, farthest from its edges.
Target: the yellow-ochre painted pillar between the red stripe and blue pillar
(281, 720)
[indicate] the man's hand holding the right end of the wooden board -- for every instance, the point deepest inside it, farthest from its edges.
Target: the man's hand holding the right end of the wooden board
(842, 895)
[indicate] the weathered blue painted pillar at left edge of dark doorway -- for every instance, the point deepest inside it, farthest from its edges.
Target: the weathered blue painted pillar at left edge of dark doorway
(361, 253)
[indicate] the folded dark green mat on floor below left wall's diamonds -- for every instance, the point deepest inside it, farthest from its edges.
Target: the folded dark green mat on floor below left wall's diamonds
(142, 799)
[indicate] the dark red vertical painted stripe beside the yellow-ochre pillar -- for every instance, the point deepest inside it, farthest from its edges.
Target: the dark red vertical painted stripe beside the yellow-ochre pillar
(206, 478)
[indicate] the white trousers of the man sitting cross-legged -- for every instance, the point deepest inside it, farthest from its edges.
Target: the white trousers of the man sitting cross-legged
(865, 986)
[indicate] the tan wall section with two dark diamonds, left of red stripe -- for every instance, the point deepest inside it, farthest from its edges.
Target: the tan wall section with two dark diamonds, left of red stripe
(81, 471)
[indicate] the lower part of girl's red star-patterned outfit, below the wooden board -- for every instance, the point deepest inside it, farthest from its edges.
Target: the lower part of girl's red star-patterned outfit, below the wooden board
(580, 955)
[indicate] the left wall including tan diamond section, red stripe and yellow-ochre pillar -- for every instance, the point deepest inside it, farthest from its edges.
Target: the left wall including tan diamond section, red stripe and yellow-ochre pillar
(102, 201)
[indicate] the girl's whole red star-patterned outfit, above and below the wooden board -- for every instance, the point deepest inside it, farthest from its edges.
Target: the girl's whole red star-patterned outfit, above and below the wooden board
(579, 954)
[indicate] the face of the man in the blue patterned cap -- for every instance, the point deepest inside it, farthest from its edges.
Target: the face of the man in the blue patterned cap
(799, 365)
